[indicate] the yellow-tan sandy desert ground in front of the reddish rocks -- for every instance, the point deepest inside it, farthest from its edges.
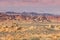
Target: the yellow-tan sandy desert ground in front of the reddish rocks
(17, 30)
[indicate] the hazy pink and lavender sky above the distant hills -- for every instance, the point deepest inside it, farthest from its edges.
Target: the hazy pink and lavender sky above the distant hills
(39, 6)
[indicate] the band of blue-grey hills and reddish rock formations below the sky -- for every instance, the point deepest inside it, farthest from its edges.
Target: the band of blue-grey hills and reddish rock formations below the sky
(30, 16)
